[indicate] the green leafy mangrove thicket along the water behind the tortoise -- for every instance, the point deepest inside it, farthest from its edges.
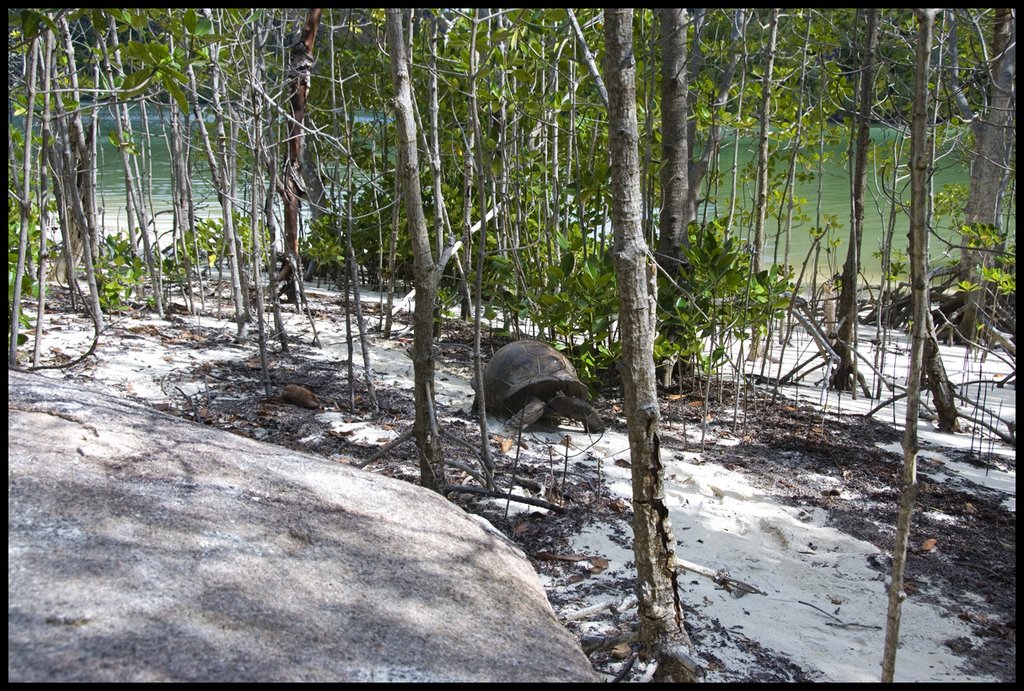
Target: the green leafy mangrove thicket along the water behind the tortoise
(192, 115)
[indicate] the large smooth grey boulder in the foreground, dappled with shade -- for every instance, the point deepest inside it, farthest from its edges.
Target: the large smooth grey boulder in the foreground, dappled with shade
(143, 547)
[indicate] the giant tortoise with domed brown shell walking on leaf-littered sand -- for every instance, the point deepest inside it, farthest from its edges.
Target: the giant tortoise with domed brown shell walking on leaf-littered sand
(530, 379)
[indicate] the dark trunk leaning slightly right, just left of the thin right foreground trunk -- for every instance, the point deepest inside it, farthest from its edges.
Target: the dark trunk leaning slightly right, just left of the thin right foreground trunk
(846, 376)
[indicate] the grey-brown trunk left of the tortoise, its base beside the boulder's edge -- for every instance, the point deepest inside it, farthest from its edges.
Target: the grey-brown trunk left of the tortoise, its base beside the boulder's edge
(425, 427)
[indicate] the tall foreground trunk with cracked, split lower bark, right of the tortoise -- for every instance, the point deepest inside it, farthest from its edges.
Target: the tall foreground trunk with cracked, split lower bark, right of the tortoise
(662, 632)
